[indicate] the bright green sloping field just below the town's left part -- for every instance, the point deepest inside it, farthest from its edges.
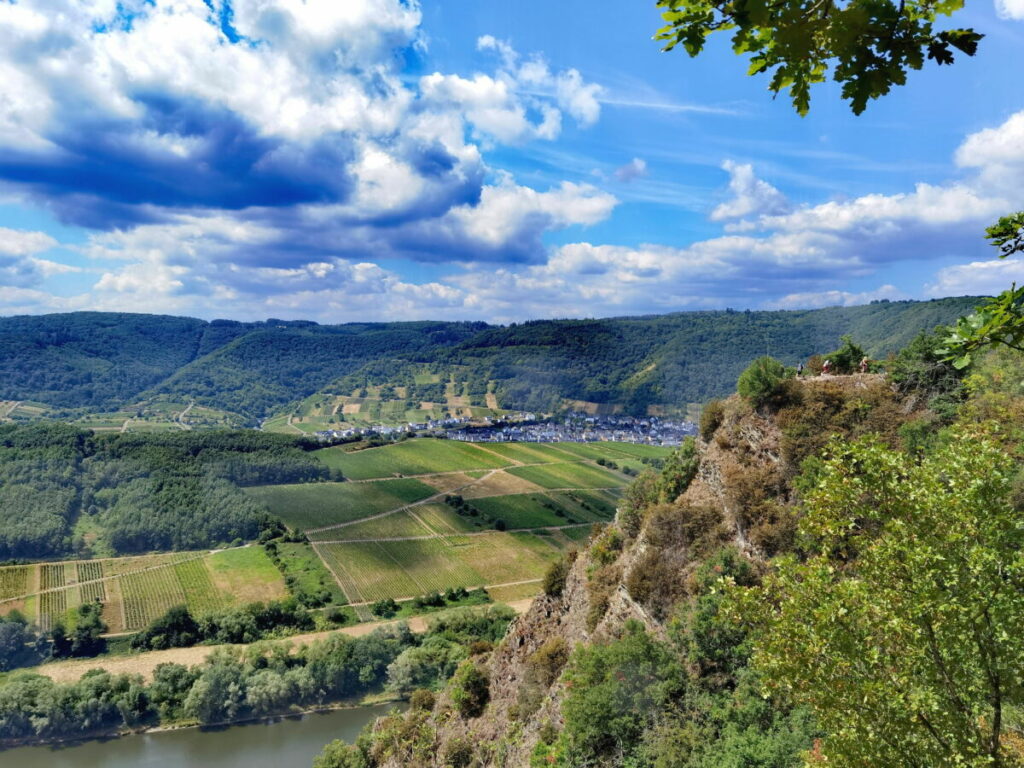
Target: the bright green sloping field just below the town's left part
(410, 458)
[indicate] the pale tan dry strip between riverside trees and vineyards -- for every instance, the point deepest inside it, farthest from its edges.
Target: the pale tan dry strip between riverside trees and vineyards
(145, 664)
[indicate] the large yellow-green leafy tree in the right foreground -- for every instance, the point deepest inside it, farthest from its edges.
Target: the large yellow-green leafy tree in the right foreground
(901, 629)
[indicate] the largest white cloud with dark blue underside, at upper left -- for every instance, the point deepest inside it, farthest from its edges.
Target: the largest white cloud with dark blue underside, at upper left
(290, 117)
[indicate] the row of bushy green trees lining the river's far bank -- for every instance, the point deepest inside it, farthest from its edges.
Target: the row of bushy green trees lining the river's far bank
(235, 685)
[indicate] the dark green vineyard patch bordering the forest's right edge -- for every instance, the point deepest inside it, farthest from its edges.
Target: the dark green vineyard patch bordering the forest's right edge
(315, 505)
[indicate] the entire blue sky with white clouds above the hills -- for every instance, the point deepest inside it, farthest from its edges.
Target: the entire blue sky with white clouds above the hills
(477, 159)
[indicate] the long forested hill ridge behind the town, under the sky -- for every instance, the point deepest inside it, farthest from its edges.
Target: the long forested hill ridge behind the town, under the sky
(239, 373)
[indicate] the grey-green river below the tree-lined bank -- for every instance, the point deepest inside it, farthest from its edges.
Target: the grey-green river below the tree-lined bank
(290, 743)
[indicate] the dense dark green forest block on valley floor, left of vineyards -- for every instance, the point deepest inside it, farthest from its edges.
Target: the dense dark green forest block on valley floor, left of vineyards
(144, 492)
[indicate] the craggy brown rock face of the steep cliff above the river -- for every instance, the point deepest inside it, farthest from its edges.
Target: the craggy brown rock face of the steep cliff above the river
(742, 494)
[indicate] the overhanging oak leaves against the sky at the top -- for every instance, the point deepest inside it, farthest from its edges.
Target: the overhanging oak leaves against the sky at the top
(869, 46)
